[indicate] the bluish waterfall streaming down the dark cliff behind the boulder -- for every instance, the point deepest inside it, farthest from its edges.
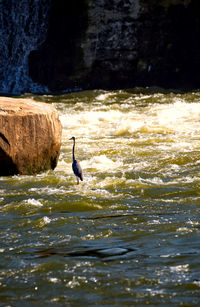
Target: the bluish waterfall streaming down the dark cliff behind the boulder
(23, 27)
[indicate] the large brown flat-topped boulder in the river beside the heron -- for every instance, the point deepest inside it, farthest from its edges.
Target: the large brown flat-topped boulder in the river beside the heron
(30, 136)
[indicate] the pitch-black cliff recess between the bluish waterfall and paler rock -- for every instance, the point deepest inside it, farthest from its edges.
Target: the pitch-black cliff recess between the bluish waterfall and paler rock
(58, 63)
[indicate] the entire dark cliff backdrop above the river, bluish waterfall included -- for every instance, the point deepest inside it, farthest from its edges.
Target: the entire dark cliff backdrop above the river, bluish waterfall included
(99, 44)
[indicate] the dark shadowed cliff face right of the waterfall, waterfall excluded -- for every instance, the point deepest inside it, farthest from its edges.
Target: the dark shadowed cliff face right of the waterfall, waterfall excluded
(113, 44)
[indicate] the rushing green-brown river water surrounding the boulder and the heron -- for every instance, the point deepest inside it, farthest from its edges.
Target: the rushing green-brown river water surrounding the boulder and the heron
(129, 234)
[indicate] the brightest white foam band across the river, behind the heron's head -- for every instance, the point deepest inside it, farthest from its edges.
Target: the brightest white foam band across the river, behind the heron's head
(174, 118)
